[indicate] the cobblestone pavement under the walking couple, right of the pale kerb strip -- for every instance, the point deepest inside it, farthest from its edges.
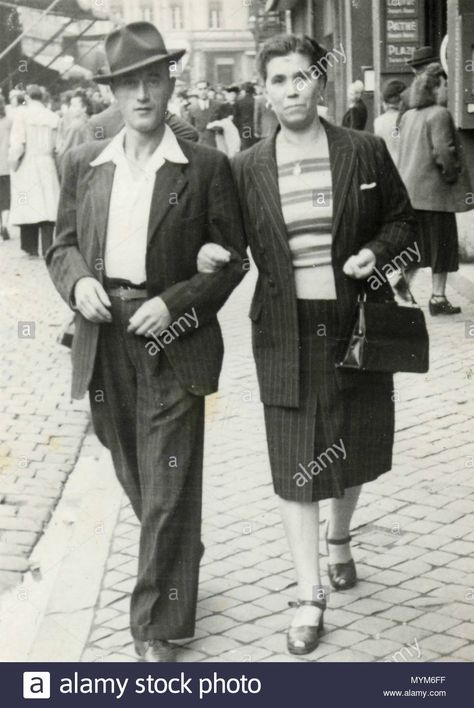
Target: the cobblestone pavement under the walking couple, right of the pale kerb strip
(413, 530)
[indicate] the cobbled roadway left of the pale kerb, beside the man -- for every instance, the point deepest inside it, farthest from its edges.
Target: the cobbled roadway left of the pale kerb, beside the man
(41, 431)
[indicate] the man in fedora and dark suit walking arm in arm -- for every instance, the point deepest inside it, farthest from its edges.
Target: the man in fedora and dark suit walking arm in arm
(134, 212)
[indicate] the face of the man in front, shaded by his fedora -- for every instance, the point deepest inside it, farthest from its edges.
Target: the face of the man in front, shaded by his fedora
(143, 96)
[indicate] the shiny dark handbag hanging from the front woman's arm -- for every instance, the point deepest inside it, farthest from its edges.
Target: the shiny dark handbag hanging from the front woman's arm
(387, 337)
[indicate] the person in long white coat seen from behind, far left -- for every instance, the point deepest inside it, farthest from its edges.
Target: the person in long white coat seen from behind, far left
(34, 177)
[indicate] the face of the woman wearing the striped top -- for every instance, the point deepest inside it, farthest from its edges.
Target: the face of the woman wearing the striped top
(293, 94)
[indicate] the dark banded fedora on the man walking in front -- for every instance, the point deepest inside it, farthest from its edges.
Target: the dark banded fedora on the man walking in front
(132, 47)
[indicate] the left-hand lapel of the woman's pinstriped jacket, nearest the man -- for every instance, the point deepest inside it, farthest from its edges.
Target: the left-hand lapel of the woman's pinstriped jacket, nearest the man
(265, 175)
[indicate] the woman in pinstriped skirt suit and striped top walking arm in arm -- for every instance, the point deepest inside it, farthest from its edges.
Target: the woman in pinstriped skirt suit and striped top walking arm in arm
(322, 206)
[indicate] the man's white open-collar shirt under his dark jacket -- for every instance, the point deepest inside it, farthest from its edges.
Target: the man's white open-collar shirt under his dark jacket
(130, 204)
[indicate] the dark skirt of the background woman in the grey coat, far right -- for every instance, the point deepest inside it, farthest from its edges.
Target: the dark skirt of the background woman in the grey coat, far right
(438, 241)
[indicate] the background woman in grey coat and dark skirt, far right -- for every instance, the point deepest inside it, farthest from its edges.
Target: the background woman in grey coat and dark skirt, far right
(431, 165)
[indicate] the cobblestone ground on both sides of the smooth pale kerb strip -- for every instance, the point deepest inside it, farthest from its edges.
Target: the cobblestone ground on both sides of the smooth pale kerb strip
(413, 532)
